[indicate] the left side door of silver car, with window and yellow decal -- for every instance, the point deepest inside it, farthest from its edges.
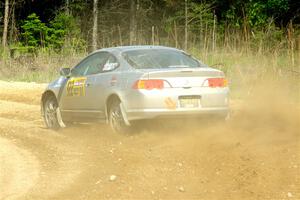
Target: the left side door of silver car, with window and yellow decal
(79, 89)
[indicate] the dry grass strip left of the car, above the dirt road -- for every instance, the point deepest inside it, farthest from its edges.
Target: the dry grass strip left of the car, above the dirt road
(42, 68)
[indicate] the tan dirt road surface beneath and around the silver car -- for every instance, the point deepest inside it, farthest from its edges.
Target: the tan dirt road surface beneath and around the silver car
(255, 155)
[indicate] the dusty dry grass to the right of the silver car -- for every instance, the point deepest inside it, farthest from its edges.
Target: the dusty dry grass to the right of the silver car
(245, 70)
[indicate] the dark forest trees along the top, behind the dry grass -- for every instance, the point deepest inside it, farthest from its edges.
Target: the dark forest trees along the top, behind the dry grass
(181, 23)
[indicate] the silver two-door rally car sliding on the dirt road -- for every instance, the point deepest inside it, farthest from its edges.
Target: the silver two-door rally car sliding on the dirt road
(120, 85)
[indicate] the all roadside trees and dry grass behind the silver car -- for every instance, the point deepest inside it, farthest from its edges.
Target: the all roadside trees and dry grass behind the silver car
(250, 40)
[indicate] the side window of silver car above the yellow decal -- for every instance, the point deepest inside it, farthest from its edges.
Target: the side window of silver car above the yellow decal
(91, 65)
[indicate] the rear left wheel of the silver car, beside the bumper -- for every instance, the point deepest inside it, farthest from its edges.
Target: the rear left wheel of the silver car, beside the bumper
(116, 119)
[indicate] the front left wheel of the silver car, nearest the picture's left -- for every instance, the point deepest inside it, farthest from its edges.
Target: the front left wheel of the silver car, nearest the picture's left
(50, 113)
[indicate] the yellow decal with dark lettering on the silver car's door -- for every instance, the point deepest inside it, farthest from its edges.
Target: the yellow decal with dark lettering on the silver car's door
(76, 86)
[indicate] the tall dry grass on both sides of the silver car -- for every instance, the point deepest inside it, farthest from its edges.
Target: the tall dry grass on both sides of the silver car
(244, 69)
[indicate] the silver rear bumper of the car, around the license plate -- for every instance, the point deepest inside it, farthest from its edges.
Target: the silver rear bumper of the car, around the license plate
(166, 103)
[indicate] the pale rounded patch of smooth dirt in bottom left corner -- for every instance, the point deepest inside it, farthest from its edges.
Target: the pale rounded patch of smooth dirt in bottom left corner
(19, 170)
